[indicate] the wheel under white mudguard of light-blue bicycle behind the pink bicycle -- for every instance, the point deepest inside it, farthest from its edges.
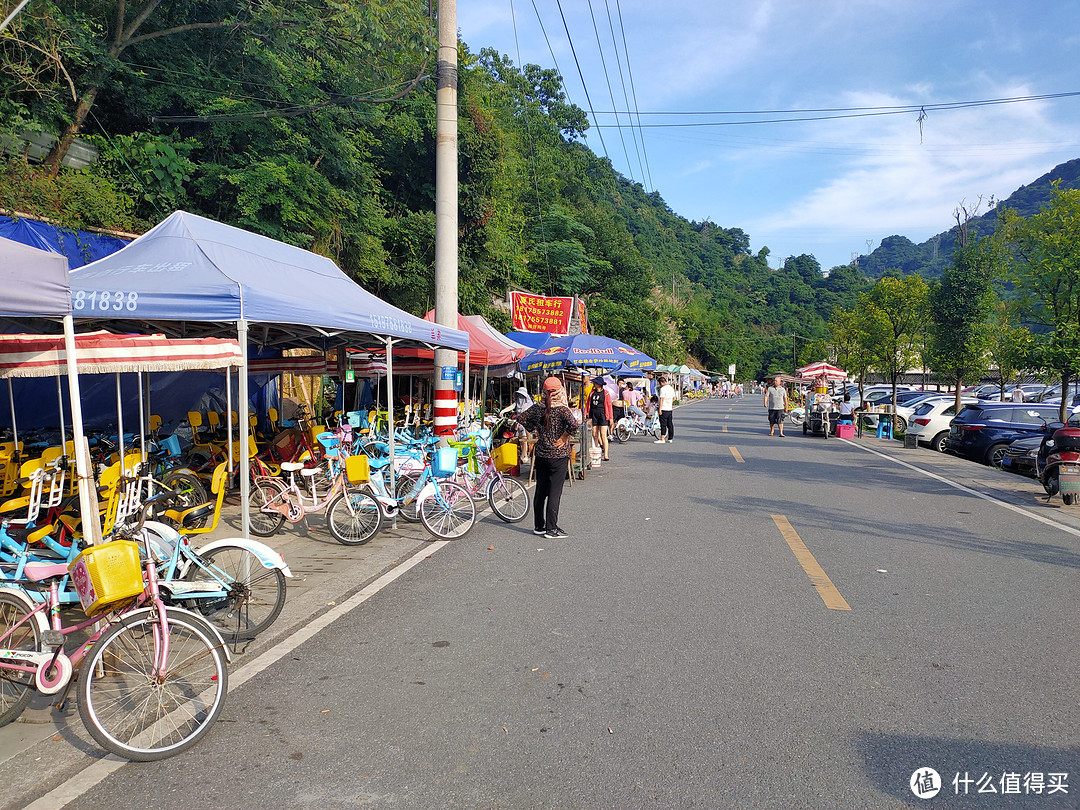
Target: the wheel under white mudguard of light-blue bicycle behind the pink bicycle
(255, 595)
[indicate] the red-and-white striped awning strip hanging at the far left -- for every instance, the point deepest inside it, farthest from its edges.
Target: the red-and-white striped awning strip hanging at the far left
(103, 353)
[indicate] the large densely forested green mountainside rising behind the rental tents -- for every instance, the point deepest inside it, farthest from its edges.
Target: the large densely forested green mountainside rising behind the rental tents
(314, 124)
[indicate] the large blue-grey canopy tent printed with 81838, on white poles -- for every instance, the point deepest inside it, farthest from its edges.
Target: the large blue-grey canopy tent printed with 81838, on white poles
(193, 277)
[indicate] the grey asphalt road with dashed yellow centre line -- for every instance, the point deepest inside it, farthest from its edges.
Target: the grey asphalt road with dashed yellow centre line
(736, 622)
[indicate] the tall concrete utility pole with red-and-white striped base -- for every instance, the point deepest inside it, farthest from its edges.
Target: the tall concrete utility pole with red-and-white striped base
(447, 214)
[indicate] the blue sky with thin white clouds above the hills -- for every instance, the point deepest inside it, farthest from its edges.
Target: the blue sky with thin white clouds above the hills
(832, 188)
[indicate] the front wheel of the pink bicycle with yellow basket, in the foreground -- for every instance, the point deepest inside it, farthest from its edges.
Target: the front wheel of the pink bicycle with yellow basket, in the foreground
(136, 713)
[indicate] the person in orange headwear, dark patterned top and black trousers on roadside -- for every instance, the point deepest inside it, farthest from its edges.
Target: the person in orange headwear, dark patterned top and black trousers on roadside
(553, 423)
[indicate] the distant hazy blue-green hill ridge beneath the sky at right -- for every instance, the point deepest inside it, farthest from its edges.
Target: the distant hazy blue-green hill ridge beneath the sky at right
(931, 258)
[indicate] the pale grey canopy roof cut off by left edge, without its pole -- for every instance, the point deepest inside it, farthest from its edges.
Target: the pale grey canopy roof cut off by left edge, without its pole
(34, 282)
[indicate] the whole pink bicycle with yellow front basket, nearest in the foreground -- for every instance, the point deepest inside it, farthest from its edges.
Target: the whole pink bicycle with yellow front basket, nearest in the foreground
(152, 680)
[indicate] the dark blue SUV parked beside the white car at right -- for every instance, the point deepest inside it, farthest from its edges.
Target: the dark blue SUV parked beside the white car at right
(982, 431)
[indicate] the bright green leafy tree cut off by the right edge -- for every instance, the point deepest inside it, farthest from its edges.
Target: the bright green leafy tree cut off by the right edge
(1045, 265)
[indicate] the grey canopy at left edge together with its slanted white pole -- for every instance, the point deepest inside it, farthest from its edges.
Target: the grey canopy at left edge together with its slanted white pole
(36, 286)
